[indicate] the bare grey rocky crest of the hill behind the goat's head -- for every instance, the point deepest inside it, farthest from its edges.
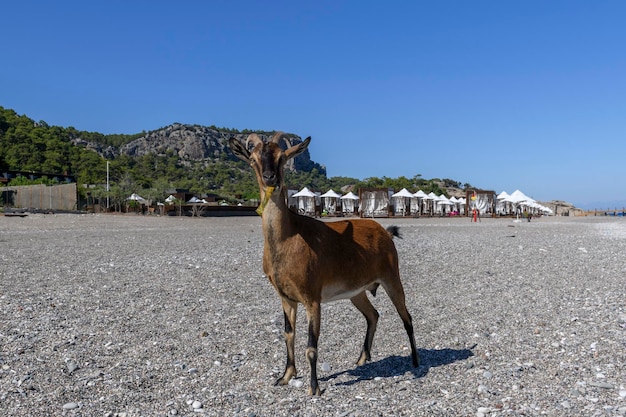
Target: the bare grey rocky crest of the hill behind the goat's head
(194, 143)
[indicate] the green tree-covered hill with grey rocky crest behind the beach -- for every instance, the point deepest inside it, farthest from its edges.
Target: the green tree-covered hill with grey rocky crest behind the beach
(193, 157)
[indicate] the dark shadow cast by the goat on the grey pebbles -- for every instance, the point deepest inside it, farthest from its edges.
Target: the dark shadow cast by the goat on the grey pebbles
(399, 365)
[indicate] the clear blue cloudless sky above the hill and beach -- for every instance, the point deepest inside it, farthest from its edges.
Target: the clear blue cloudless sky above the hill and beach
(503, 95)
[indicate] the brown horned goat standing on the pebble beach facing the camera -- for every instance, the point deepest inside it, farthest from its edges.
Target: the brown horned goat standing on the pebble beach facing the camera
(312, 262)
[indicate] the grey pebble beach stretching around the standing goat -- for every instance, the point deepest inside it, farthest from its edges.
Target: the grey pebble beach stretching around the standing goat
(130, 315)
